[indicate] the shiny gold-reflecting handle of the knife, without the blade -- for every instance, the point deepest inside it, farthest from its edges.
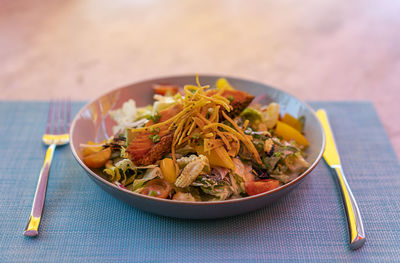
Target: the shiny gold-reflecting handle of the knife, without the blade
(354, 221)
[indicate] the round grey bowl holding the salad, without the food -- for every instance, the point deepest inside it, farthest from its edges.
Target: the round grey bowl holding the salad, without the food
(93, 123)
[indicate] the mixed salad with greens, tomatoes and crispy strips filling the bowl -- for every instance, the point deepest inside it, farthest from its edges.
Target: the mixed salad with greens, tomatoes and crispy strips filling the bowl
(199, 143)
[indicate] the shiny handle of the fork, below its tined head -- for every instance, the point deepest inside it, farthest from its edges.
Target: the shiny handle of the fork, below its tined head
(31, 228)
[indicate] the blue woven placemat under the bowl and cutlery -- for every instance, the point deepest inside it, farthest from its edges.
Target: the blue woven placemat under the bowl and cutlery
(83, 223)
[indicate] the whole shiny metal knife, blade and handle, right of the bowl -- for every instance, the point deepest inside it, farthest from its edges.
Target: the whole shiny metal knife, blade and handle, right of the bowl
(331, 157)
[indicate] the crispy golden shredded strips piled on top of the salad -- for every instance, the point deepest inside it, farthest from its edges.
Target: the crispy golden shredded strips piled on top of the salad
(201, 114)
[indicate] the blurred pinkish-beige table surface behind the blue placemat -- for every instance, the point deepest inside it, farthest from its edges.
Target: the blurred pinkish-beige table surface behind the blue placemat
(317, 50)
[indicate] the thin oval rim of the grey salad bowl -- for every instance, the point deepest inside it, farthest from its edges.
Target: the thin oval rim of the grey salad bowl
(195, 203)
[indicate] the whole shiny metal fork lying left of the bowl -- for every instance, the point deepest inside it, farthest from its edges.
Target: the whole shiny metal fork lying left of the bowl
(57, 128)
